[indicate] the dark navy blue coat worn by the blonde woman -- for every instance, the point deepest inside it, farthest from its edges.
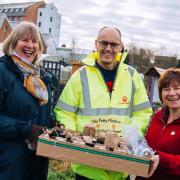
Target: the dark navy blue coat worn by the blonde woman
(18, 111)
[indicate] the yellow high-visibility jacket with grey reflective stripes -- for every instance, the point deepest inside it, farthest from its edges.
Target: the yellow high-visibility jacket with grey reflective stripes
(86, 100)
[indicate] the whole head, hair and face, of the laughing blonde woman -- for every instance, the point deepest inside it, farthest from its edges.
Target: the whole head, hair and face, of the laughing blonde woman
(26, 41)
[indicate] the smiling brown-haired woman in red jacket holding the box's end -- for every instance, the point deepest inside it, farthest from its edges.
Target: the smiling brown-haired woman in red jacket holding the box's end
(164, 131)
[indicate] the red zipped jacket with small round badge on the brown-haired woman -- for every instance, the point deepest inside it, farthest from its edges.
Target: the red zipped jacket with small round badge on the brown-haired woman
(165, 140)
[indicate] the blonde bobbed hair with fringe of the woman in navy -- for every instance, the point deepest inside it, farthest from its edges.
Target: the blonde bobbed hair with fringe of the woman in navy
(23, 30)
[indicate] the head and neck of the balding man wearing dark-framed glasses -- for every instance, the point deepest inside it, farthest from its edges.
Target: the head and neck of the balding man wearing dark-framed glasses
(108, 45)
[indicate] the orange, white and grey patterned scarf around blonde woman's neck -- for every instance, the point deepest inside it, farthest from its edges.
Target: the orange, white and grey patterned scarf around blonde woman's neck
(32, 82)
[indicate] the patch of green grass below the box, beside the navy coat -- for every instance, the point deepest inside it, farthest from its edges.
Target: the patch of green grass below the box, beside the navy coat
(60, 170)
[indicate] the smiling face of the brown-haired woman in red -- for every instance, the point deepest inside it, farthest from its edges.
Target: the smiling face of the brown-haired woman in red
(171, 96)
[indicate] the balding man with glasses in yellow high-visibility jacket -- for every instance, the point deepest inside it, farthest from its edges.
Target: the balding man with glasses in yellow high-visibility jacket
(104, 92)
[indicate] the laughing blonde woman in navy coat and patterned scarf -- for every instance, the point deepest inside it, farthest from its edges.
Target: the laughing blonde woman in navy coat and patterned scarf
(25, 105)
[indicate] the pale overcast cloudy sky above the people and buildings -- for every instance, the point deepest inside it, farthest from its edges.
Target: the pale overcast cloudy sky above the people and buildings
(147, 23)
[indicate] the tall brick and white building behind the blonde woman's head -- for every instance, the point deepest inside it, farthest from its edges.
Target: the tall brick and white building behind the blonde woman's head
(45, 16)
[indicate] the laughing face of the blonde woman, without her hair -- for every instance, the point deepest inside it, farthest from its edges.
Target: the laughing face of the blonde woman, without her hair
(27, 48)
